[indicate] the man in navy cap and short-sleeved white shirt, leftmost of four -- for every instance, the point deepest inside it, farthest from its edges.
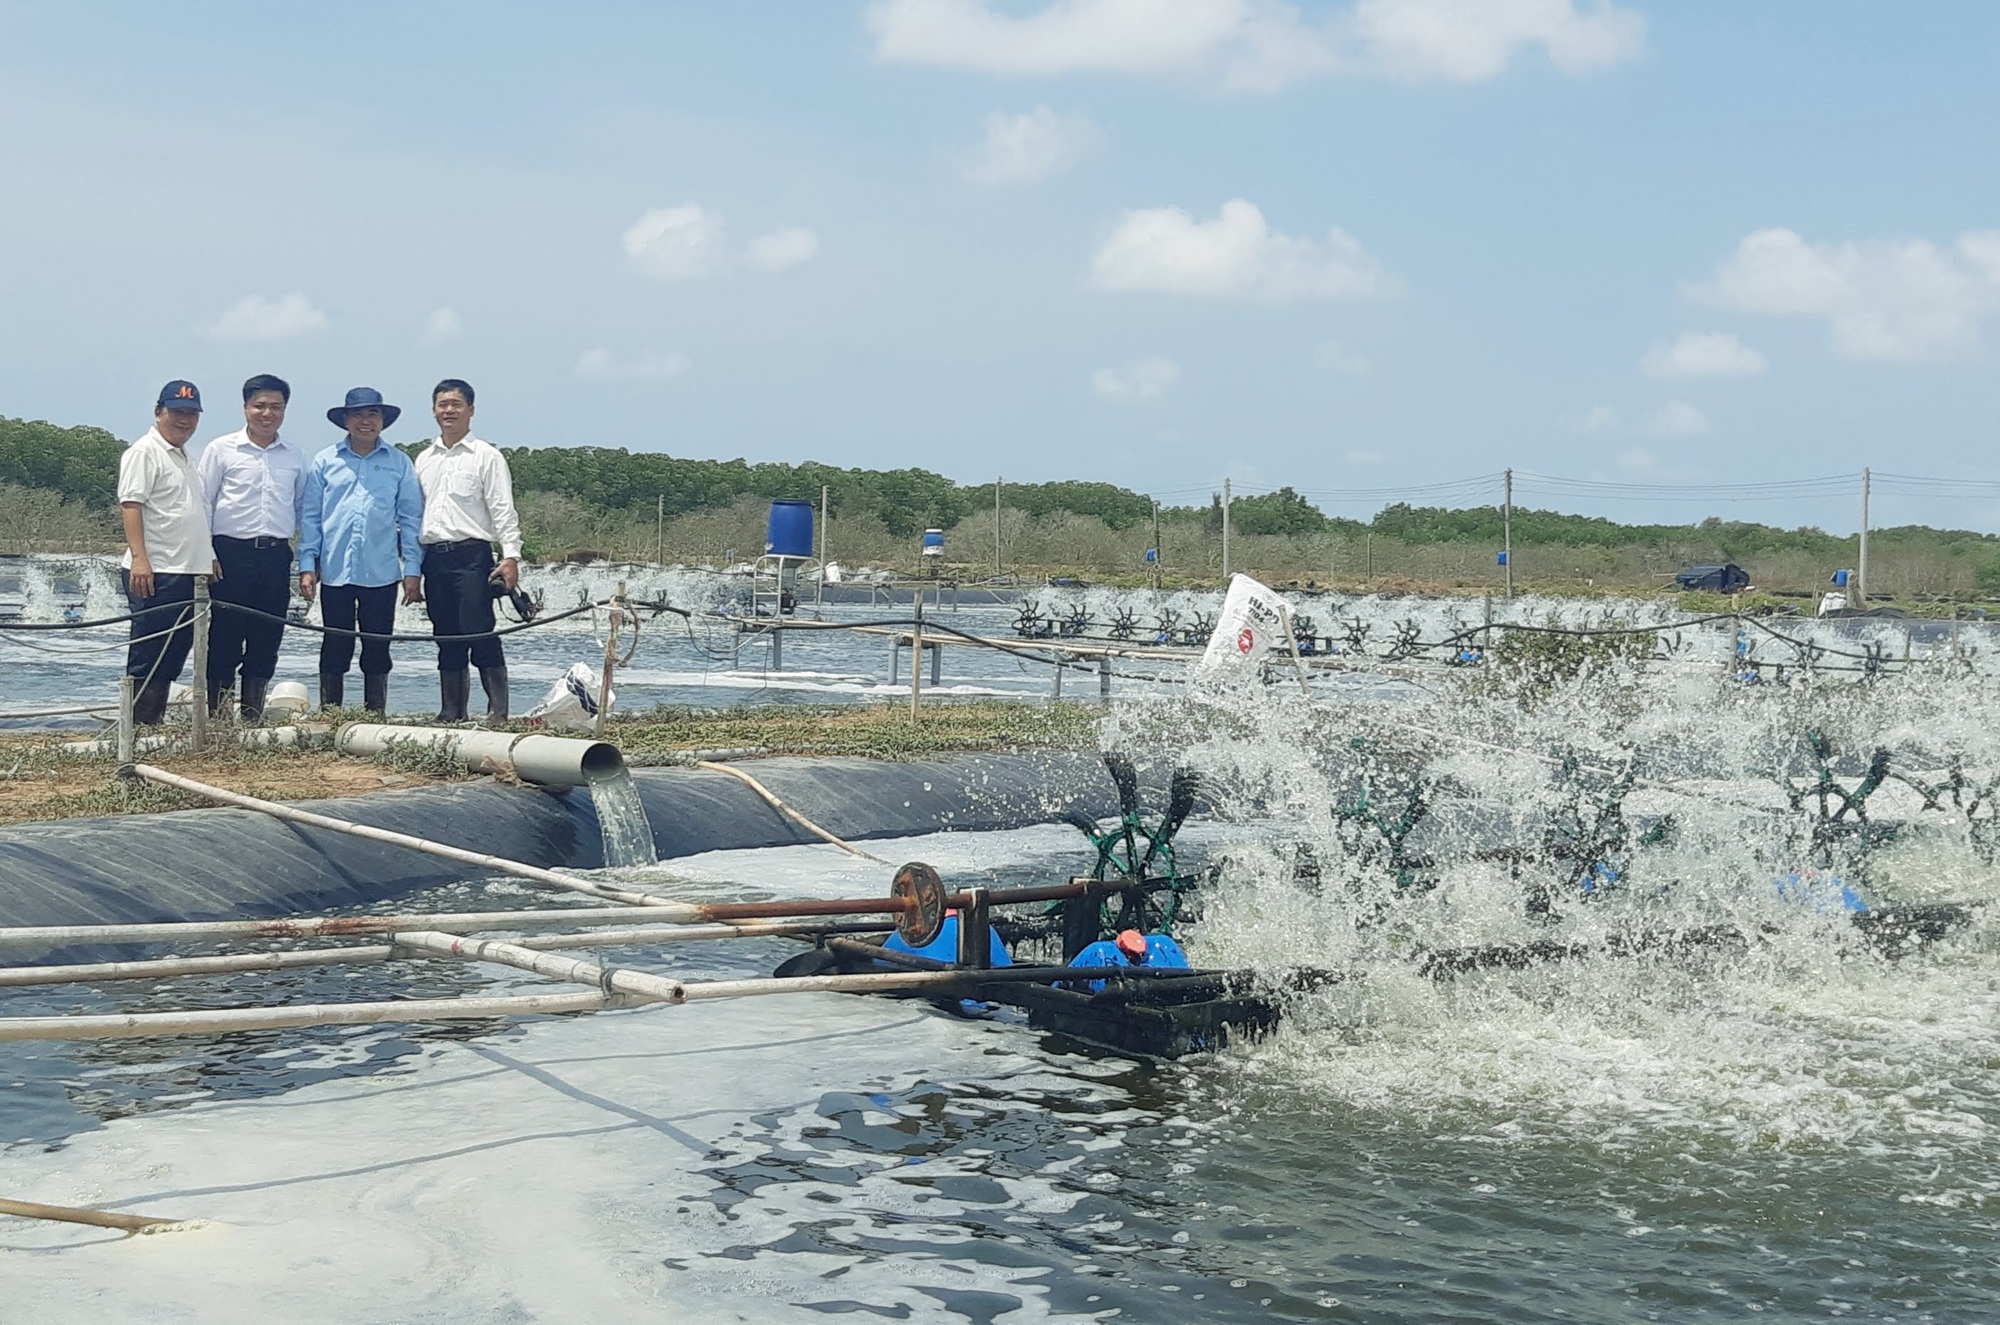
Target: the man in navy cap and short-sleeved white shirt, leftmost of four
(167, 547)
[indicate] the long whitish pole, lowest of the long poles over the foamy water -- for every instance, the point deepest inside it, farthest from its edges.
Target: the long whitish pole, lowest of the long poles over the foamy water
(219, 1022)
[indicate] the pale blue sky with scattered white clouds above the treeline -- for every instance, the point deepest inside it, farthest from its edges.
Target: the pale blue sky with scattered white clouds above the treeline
(1341, 247)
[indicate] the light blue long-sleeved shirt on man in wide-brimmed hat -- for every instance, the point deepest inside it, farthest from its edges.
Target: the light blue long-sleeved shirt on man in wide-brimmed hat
(361, 517)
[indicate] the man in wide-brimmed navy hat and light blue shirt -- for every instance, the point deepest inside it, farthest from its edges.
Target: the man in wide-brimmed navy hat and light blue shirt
(357, 539)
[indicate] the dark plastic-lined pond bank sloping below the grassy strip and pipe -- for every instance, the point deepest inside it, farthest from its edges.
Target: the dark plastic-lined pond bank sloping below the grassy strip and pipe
(225, 864)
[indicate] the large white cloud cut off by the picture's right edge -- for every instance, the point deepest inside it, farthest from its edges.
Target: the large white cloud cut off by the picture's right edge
(1881, 299)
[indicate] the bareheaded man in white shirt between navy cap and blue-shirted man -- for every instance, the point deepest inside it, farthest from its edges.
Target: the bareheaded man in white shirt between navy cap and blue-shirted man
(253, 483)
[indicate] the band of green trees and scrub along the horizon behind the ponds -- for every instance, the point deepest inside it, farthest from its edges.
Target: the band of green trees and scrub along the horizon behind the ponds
(57, 491)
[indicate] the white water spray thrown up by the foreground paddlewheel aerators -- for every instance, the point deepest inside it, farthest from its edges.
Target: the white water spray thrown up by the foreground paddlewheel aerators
(1795, 1038)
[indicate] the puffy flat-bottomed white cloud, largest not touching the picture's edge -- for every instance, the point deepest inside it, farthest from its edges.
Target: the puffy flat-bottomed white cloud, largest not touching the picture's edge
(1237, 255)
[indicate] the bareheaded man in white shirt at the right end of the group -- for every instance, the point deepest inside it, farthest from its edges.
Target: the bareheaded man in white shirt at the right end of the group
(469, 507)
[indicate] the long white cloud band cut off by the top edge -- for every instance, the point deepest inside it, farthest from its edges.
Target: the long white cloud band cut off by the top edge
(1253, 45)
